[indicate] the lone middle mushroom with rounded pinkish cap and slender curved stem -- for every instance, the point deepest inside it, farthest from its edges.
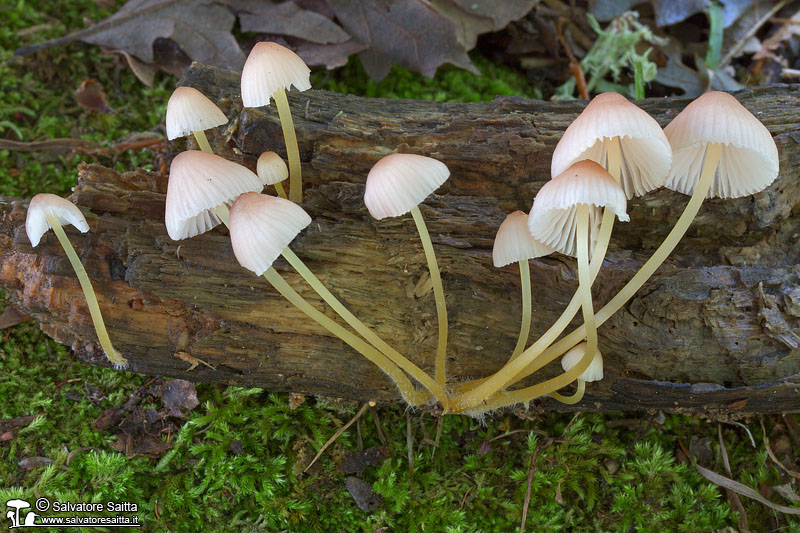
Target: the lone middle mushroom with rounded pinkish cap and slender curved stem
(396, 185)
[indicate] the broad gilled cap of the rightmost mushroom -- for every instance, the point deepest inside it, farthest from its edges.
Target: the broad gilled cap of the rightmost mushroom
(749, 159)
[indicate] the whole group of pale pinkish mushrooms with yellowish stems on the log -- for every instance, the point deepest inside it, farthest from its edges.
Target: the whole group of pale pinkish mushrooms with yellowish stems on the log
(612, 152)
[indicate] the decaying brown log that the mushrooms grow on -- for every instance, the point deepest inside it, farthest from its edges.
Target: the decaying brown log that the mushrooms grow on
(715, 330)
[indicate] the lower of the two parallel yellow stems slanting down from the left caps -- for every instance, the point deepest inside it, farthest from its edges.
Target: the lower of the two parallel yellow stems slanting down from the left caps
(411, 395)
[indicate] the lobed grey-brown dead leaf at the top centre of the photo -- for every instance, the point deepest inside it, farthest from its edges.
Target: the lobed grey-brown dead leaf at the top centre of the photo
(409, 33)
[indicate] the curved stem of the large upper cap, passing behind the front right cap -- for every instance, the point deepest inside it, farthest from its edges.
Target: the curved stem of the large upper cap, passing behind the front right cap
(518, 368)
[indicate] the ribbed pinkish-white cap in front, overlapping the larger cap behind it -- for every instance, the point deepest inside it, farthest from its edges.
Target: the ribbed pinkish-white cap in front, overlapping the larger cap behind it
(553, 218)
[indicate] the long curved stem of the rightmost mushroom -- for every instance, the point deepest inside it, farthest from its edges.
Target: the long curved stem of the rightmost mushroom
(711, 160)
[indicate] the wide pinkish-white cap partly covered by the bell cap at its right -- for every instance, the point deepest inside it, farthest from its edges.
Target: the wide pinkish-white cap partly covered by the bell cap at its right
(199, 182)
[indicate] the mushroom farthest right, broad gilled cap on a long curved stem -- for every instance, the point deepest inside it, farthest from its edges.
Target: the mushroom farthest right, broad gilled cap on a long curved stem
(719, 148)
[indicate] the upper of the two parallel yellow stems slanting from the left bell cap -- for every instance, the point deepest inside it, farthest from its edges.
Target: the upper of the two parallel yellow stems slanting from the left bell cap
(396, 357)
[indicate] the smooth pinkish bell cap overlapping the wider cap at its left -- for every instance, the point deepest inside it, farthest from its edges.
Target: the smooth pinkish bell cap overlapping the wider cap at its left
(261, 227)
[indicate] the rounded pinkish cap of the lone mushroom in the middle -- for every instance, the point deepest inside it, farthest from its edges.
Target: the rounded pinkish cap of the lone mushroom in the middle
(399, 182)
